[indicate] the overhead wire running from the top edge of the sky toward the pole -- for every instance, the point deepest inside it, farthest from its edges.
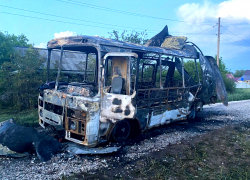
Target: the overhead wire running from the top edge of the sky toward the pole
(121, 12)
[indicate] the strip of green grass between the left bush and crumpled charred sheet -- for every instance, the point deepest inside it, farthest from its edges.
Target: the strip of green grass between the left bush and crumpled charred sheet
(25, 117)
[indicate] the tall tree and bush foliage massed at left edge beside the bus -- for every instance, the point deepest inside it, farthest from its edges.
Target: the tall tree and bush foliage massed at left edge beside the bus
(19, 77)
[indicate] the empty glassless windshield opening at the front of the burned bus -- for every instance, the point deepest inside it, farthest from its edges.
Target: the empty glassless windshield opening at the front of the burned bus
(76, 66)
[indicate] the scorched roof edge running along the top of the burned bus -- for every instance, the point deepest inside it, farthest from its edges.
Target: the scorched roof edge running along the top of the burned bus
(110, 45)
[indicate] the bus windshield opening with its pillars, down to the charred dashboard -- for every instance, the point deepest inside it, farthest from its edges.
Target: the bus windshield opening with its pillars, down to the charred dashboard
(73, 67)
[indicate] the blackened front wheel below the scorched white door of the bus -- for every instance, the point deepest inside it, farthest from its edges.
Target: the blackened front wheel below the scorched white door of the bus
(121, 130)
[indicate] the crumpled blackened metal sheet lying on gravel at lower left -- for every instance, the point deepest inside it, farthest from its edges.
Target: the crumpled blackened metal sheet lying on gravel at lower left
(21, 139)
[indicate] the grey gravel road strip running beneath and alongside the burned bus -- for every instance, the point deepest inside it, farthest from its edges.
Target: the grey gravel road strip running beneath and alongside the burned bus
(212, 117)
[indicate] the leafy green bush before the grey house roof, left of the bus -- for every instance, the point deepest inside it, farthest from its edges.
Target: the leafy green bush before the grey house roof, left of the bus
(19, 80)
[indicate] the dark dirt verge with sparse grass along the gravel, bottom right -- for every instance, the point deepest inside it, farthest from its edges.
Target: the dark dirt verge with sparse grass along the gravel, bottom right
(221, 154)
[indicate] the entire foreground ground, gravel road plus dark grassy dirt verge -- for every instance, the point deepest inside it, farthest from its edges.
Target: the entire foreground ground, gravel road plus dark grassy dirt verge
(215, 145)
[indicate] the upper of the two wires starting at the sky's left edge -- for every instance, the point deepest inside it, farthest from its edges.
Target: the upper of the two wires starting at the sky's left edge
(70, 18)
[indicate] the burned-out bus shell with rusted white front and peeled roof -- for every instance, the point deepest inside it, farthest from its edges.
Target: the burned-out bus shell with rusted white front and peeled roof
(106, 89)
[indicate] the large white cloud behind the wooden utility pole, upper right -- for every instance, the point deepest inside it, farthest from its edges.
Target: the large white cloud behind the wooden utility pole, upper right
(235, 22)
